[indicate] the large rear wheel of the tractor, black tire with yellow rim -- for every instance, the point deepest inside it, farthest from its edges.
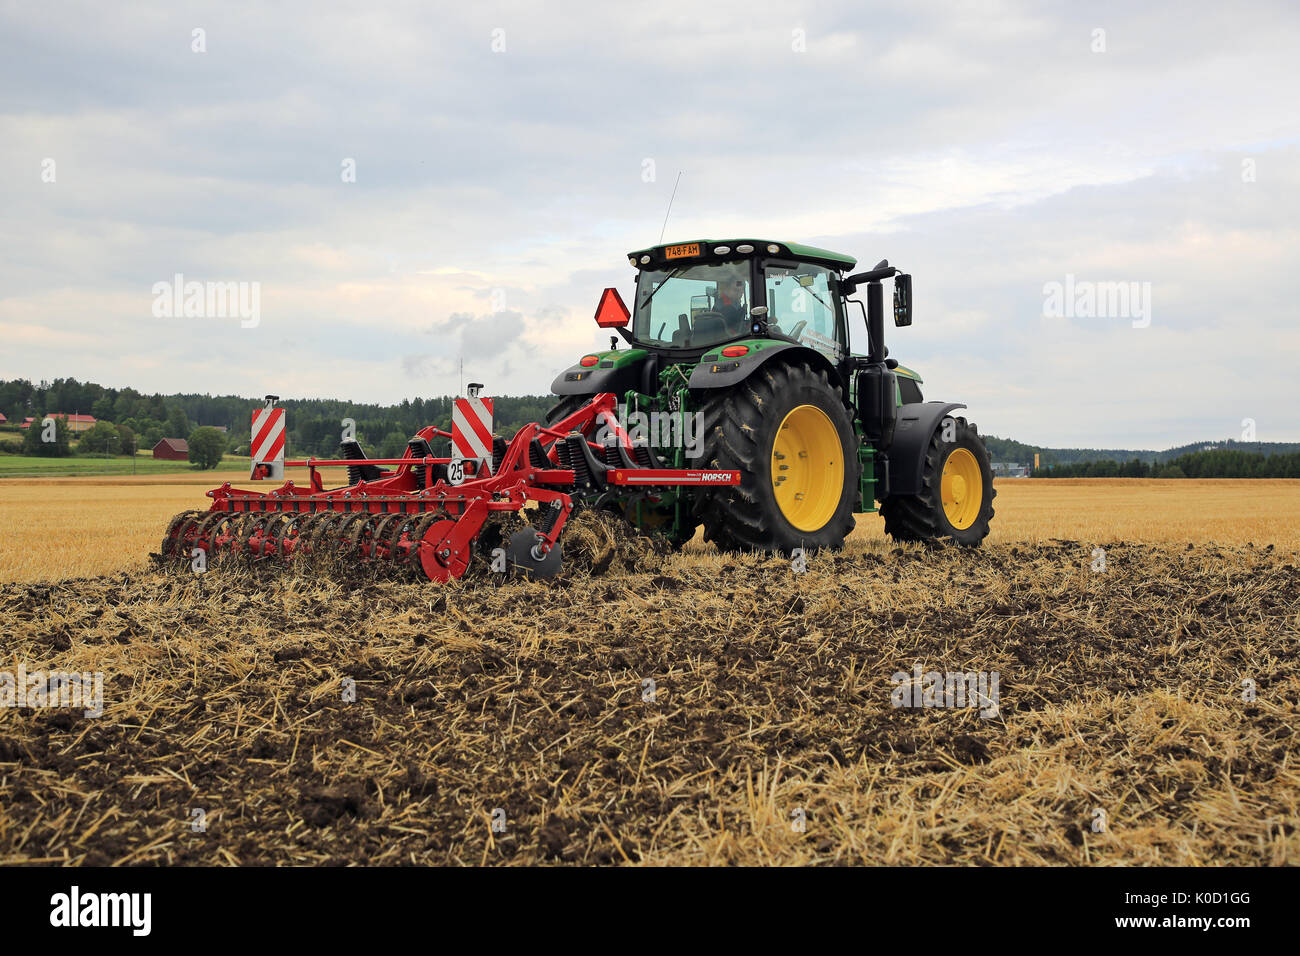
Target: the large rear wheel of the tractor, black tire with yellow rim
(788, 434)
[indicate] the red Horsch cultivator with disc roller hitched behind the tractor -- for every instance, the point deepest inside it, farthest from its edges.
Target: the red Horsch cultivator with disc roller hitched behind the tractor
(436, 514)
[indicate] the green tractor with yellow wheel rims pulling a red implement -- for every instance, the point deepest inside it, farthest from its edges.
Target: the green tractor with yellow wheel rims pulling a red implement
(738, 358)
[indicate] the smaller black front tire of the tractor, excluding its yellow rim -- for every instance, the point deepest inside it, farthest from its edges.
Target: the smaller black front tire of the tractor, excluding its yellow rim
(922, 517)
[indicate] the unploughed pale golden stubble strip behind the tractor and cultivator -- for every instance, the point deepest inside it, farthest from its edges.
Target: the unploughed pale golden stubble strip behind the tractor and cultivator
(72, 527)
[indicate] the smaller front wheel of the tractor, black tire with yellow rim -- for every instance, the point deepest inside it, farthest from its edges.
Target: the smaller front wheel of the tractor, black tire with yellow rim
(956, 498)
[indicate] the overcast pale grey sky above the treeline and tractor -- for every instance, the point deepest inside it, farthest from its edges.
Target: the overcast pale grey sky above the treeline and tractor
(508, 157)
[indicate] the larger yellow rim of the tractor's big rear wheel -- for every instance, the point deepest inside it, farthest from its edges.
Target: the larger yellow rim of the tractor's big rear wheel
(808, 468)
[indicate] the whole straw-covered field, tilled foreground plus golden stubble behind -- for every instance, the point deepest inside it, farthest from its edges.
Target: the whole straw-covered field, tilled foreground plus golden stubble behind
(769, 734)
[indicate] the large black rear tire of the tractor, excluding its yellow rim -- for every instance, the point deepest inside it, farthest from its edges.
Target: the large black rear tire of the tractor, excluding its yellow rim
(740, 430)
